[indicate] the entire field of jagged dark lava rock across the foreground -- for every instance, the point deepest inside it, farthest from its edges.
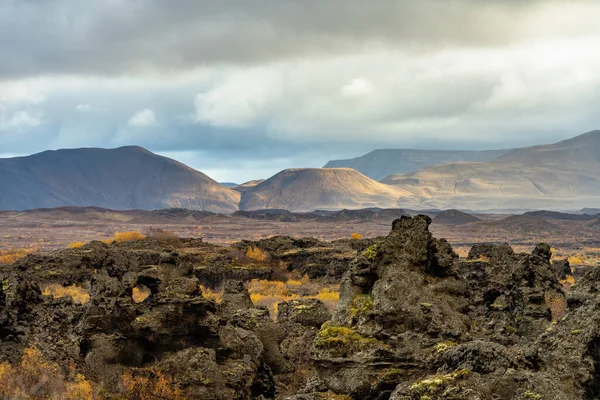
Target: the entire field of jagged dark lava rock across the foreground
(413, 322)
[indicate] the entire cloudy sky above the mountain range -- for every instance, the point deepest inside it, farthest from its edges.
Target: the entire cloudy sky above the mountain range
(242, 89)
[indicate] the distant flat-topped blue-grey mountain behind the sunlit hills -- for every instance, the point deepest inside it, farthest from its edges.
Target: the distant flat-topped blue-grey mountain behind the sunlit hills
(379, 164)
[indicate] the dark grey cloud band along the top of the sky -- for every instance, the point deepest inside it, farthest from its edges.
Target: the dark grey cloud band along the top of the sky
(119, 36)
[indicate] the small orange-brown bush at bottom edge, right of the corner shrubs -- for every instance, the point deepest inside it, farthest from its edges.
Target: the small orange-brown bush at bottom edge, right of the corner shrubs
(149, 384)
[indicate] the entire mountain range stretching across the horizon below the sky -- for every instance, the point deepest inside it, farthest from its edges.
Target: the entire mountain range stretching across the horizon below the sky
(560, 176)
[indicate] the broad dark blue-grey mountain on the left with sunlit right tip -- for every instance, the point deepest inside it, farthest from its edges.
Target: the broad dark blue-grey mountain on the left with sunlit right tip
(123, 178)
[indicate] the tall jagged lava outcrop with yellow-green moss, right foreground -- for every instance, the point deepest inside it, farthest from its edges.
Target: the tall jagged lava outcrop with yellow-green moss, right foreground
(414, 322)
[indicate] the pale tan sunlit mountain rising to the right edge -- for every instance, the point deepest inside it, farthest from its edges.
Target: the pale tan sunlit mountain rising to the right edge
(560, 176)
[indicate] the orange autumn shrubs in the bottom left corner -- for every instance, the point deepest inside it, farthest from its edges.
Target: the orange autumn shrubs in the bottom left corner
(37, 378)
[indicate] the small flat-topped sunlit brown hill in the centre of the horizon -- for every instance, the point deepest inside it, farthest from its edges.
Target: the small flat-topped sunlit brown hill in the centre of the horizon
(315, 188)
